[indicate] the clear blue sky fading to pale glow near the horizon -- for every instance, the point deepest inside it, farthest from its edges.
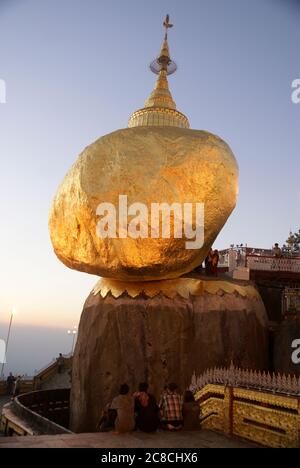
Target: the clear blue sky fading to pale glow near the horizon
(76, 69)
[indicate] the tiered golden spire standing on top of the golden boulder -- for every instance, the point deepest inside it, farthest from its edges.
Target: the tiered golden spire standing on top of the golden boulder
(160, 108)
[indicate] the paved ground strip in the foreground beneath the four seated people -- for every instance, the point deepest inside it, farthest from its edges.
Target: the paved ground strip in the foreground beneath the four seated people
(199, 439)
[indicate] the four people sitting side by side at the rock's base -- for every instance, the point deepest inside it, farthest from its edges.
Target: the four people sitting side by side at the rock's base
(141, 411)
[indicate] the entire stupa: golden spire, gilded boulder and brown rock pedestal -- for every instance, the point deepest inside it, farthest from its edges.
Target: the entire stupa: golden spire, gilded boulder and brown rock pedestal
(149, 318)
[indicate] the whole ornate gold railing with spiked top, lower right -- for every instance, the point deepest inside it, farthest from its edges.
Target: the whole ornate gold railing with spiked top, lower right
(248, 404)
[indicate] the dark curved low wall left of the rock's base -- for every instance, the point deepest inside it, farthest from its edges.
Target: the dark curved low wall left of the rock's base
(39, 412)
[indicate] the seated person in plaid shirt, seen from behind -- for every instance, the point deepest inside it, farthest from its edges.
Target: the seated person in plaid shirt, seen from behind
(171, 408)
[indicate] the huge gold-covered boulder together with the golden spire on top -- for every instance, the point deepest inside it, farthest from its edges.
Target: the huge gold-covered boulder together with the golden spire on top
(158, 159)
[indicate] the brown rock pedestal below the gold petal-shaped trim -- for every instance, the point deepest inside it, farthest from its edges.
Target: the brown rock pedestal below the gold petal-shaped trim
(160, 340)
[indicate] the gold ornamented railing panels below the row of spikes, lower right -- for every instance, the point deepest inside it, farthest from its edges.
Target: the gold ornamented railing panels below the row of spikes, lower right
(270, 420)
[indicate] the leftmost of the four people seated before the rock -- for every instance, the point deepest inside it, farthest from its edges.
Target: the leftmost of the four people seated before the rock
(124, 406)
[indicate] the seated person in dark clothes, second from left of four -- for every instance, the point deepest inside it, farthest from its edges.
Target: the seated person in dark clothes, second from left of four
(146, 409)
